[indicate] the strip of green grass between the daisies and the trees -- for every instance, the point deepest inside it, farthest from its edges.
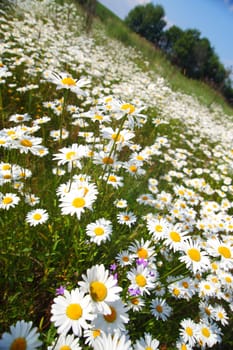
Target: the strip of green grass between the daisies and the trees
(116, 29)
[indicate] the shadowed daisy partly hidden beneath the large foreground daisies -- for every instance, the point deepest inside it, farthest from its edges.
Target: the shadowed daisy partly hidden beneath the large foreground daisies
(116, 320)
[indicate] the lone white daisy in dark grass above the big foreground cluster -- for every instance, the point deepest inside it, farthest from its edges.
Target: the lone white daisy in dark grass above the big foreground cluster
(99, 231)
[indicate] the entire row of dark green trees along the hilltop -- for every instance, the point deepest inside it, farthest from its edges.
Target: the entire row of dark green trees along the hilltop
(186, 49)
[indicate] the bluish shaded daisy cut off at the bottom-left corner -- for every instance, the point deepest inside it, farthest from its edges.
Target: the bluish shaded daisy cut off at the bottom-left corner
(21, 337)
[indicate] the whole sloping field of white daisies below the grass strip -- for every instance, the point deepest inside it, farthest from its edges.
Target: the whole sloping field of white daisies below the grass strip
(116, 197)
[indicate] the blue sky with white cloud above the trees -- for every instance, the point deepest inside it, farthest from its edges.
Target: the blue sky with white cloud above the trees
(213, 18)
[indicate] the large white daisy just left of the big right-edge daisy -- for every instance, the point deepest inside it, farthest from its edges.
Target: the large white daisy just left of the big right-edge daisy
(194, 258)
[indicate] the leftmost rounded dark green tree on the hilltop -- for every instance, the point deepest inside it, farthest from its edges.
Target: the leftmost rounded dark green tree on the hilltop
(148, 21)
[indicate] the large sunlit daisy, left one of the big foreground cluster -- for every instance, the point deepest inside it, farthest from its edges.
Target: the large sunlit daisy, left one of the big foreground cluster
(72, 310)
